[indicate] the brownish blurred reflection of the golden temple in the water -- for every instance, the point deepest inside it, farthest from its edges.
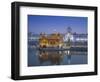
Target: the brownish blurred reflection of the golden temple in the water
(54, 58)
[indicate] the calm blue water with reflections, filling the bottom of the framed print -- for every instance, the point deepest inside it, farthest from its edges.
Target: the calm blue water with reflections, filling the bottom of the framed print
(47, 58)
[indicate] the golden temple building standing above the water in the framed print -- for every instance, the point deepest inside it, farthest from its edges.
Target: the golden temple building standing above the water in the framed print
(53, 40)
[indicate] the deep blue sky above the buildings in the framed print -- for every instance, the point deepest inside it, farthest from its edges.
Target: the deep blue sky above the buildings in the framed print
(49, 24)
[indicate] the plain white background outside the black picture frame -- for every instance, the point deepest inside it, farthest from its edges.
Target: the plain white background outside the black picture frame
(5, 40)
